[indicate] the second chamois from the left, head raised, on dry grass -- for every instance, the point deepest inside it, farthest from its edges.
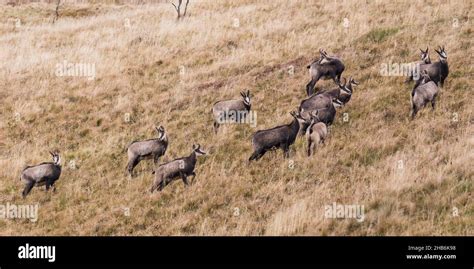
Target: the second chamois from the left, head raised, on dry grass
(148, 149)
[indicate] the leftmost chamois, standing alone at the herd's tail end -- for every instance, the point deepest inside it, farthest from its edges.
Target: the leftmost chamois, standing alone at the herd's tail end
(46, 173)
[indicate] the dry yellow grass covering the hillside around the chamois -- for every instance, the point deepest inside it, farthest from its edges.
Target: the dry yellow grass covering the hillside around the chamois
(409, 175)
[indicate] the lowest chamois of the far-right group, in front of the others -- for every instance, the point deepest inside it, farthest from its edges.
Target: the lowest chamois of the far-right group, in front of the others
(426, 91)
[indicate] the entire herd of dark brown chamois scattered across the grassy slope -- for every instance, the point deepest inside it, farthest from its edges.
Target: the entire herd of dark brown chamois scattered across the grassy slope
(311, 119)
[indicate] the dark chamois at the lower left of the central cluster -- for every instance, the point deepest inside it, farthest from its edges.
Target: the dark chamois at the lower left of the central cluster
(278, 137)
